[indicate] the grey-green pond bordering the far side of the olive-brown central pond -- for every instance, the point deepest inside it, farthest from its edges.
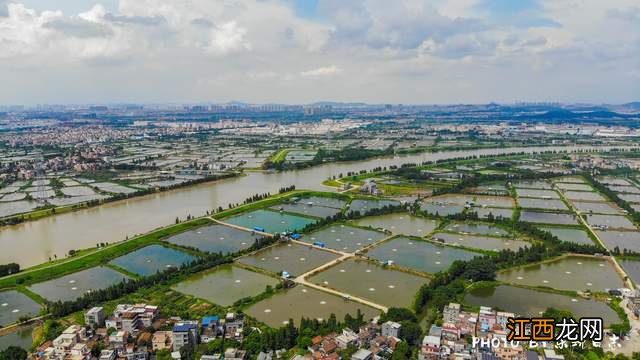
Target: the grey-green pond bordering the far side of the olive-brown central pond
(419, 255)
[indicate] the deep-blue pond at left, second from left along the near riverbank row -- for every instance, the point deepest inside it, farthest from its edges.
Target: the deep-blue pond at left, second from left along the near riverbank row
(152, 259)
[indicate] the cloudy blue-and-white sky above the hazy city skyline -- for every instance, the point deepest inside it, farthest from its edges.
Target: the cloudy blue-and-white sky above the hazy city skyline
(302, 51)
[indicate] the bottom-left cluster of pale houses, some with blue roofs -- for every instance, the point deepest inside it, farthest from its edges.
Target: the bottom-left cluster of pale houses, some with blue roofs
(135, 331)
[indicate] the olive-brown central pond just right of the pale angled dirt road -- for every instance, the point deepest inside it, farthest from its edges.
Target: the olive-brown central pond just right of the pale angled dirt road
(372, 282)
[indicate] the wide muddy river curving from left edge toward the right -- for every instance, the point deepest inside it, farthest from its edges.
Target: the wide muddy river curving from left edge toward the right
(34, 242)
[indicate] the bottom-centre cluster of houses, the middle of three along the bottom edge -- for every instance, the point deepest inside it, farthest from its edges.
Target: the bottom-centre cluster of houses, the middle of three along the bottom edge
(373, 341)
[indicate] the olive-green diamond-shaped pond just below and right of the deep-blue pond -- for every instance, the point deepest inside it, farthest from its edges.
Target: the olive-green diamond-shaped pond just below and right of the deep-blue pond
(226, 284)
